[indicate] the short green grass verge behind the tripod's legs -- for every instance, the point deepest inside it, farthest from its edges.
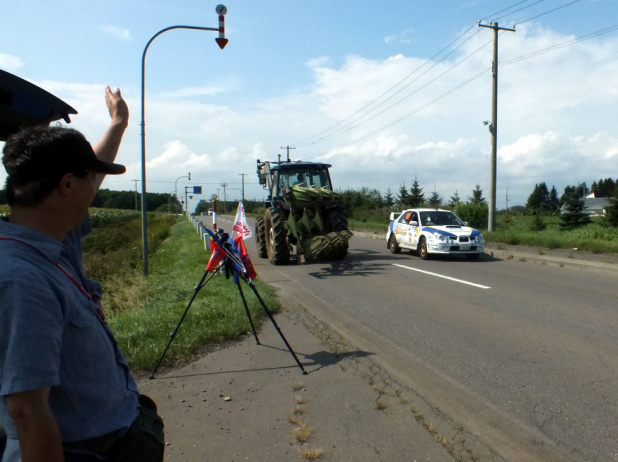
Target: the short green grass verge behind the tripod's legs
(147, 310)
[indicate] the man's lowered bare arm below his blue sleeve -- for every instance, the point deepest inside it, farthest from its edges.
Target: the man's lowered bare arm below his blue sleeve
(39, 437)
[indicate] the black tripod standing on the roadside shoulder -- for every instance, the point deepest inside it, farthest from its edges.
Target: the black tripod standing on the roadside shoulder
(231, 265)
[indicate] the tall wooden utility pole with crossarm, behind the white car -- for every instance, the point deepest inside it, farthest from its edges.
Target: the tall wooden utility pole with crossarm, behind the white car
(493, 127)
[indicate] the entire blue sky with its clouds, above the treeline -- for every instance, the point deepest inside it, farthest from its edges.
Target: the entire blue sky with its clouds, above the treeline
(385, 93)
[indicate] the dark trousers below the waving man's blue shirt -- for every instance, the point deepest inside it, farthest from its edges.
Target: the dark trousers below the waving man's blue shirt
(144, 441)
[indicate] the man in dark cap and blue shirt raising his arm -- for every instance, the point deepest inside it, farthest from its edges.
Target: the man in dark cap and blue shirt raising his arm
(66, 392)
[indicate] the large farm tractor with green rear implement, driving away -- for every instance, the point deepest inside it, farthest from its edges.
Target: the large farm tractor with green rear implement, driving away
(304, 217)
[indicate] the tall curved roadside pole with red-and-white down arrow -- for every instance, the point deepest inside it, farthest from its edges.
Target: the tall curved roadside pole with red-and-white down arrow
(221, 41)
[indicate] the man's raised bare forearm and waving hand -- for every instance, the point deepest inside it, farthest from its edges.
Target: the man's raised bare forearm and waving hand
(107, 147)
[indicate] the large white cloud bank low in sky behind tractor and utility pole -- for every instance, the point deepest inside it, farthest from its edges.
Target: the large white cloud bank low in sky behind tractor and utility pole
(556, 122)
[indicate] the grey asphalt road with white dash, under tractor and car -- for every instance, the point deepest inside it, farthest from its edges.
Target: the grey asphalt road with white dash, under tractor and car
(522, 356)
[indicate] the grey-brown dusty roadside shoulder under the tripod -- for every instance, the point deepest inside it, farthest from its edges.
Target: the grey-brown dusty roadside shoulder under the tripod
(252, 402)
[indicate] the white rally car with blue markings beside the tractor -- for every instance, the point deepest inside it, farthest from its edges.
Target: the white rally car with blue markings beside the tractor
(433, 231)
